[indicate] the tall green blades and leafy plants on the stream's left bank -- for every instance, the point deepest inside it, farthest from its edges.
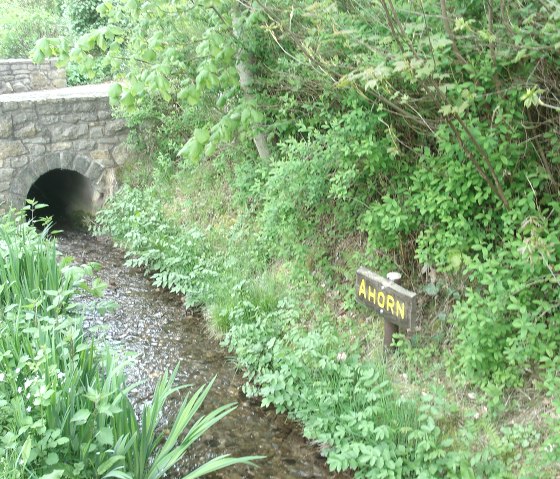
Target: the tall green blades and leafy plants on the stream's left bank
(64, 409)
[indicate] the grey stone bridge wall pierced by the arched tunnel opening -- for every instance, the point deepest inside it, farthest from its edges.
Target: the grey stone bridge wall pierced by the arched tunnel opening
(70, 129)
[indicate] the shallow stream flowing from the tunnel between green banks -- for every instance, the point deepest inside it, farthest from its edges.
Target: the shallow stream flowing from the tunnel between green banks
(154, 325)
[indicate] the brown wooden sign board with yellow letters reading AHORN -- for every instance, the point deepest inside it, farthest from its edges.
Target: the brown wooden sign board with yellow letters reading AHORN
(393, 302)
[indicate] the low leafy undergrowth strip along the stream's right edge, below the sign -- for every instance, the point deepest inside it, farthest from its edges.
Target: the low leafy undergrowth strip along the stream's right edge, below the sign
(301, 359)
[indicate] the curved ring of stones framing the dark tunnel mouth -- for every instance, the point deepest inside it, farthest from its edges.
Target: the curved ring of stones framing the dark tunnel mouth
(64, 160)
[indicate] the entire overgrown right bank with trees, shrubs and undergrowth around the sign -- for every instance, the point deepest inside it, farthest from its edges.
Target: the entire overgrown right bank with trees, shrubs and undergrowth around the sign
(316, 137)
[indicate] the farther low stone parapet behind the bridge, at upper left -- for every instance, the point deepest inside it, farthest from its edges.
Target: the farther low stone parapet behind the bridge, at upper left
(18, 76)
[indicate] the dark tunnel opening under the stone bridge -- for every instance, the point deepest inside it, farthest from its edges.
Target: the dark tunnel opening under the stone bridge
(68, 195)
